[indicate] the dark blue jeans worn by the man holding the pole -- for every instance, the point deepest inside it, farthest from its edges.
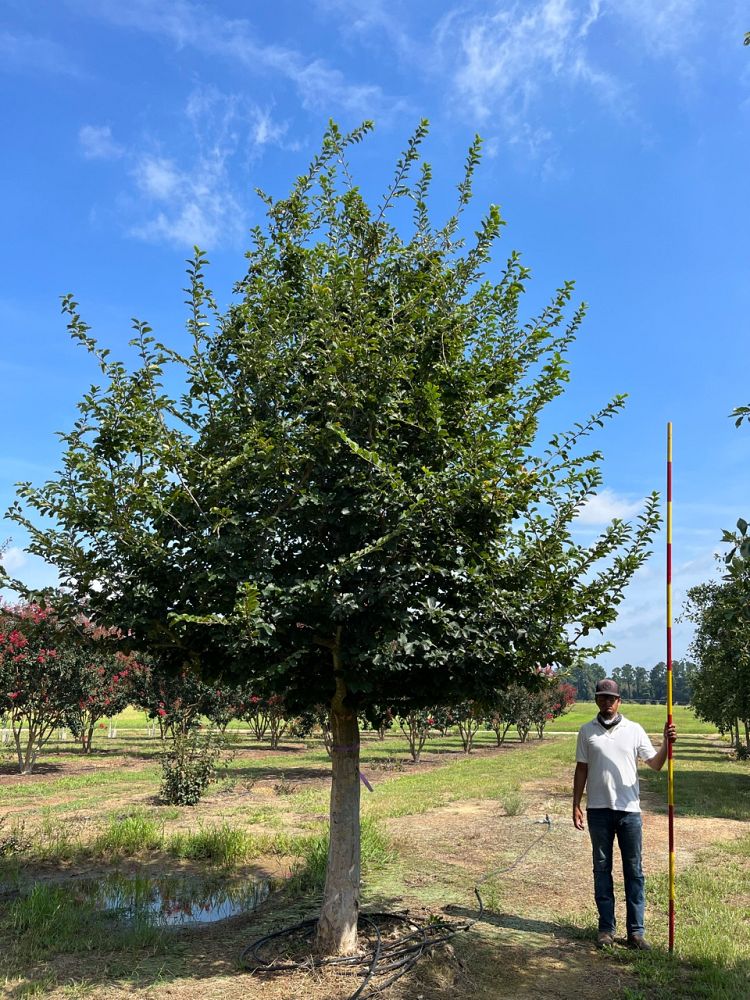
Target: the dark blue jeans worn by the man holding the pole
(604, 825)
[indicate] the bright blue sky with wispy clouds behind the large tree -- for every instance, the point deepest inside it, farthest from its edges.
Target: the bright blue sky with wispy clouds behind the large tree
(616, 143)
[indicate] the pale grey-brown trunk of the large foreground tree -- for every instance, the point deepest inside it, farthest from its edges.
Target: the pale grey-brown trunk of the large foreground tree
(337, 926)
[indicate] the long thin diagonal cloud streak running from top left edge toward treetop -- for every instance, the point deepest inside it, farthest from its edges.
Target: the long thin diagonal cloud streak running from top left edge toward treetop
(186, 24)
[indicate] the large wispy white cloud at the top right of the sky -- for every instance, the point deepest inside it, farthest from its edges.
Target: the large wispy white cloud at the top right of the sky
(511, 61)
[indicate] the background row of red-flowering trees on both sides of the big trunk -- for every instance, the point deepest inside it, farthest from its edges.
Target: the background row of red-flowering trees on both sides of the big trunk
(54, 675)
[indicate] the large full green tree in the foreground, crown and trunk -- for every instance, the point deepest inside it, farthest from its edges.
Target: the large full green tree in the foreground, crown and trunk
(347, 504)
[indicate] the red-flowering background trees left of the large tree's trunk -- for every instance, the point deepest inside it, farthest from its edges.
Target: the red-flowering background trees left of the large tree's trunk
(58, 673)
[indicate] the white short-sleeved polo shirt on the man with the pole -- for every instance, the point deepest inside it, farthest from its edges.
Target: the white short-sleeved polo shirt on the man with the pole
(612, 757)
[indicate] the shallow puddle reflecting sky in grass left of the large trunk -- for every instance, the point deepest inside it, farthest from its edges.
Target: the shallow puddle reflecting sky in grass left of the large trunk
(170, 900)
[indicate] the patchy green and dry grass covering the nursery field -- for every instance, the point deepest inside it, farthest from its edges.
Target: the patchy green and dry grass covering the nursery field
(108, 814)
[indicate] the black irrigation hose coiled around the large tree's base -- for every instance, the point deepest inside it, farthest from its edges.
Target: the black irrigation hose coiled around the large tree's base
(396, 958)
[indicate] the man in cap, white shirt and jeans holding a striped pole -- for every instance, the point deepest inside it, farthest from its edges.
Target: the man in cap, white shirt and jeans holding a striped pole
(607, 762)
